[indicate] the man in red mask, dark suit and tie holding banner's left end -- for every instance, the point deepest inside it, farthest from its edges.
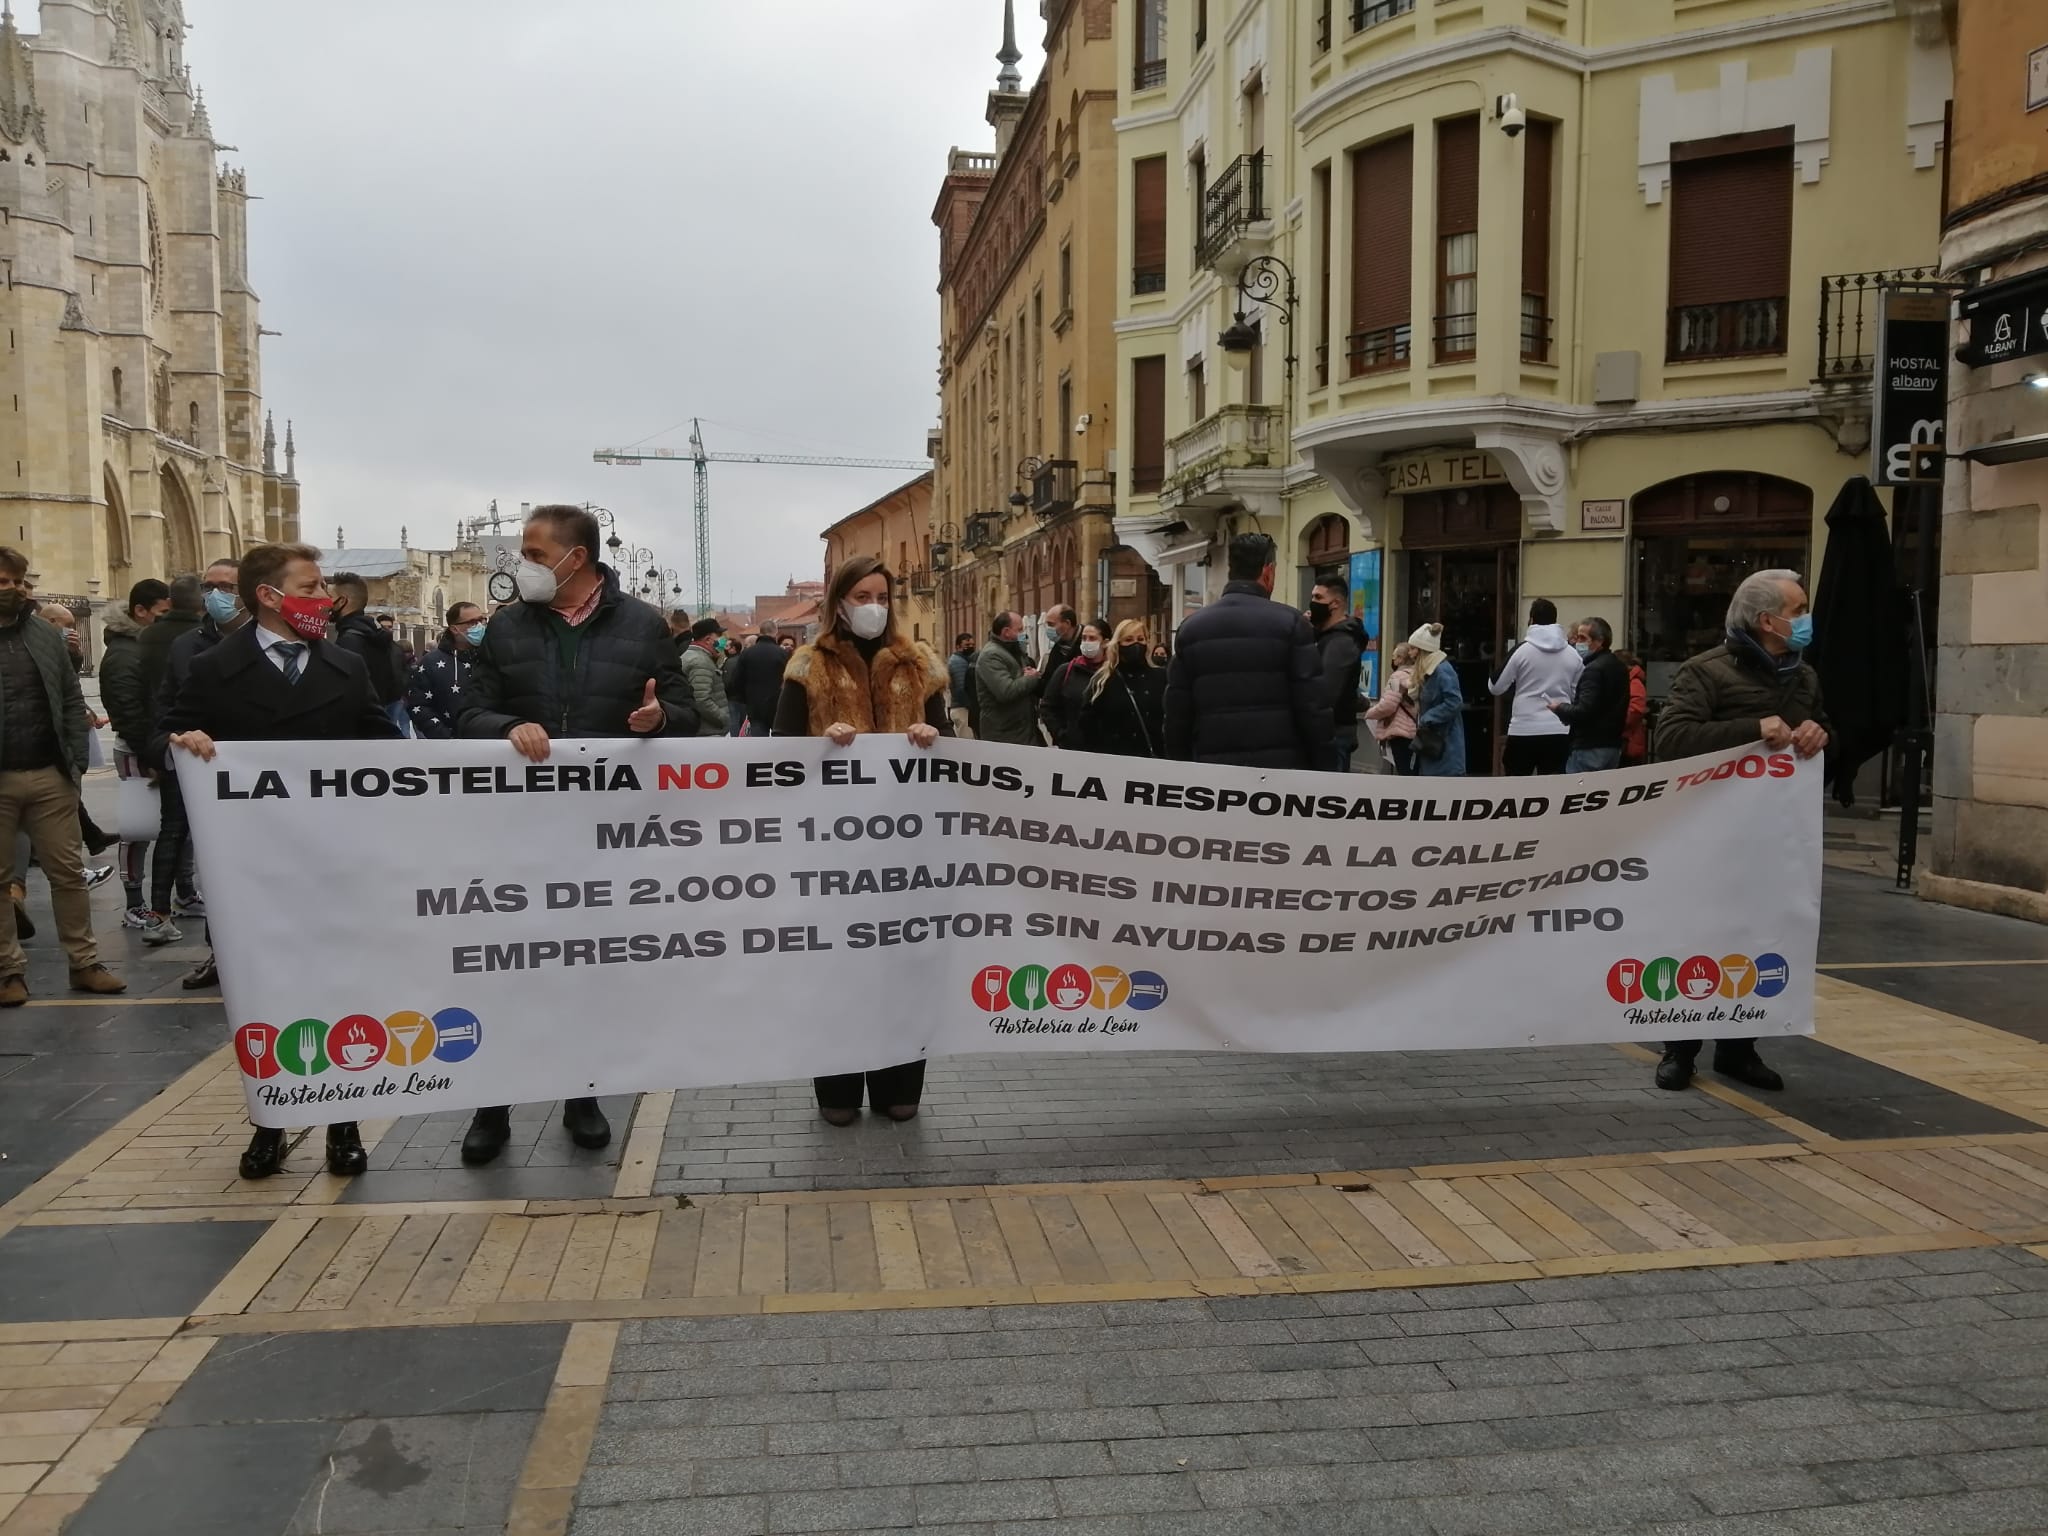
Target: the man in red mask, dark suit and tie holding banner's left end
(278, 681)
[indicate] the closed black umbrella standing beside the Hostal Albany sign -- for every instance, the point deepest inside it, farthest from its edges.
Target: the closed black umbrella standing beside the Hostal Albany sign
(1859, 636)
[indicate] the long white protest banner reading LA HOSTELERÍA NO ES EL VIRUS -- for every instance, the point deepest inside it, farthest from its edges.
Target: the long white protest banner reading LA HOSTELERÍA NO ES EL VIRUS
(413, 927)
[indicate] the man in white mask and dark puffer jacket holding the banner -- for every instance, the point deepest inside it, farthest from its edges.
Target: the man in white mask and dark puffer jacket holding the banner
(577, 656)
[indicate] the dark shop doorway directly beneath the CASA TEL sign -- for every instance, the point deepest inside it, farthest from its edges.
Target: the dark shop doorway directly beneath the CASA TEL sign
(1463, 570)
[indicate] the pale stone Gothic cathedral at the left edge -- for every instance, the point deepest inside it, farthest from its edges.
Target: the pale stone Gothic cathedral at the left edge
(138, 441)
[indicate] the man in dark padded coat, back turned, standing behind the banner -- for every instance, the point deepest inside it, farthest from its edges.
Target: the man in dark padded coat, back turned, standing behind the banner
(1246, 683)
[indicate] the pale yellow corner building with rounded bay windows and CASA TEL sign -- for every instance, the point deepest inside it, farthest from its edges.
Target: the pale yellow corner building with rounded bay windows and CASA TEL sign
(1584, 292)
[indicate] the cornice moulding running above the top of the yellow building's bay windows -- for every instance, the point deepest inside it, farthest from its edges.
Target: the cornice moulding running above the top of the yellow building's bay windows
(1594, 60)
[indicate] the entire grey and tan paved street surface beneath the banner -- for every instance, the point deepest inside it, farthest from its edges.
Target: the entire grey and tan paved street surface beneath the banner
(1459, 1293)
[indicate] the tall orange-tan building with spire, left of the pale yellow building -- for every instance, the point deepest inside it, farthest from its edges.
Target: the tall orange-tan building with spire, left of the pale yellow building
(1025, 447)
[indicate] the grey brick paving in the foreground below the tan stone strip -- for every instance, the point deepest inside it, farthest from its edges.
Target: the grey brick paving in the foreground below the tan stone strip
(1854, 1396)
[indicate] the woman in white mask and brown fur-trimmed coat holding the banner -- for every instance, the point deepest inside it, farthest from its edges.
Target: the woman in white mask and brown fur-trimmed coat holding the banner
(865, 675)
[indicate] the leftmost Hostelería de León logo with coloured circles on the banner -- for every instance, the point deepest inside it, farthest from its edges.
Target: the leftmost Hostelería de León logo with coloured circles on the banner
(407, 1052)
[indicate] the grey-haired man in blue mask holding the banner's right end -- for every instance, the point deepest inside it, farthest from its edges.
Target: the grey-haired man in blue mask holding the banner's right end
(1752, 687)
